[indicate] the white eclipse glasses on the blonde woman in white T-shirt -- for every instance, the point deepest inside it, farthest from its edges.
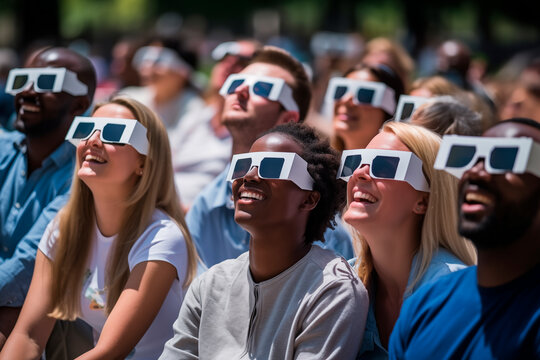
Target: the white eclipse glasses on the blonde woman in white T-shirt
(112, 131)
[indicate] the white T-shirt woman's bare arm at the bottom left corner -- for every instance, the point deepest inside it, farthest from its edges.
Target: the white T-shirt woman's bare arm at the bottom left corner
(34, 327)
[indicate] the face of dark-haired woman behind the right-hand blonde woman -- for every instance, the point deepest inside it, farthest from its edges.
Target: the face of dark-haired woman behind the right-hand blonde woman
(357, 124)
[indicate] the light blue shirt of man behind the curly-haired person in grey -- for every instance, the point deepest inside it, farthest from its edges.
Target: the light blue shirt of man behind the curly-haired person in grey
(218, 237)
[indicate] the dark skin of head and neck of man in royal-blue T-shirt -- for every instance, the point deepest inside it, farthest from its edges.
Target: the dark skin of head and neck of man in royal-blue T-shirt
(500, 264)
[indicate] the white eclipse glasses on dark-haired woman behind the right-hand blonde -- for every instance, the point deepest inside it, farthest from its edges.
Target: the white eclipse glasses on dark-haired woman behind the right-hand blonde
(372, 93)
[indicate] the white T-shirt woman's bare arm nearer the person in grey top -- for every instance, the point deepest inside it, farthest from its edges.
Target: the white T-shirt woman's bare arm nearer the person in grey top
(138, 304)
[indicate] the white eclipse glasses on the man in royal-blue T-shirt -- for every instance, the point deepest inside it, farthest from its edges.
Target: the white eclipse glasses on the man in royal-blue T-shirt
(458, 154)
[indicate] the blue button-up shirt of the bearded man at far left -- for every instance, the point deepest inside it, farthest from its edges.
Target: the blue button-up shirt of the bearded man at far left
(27, 205)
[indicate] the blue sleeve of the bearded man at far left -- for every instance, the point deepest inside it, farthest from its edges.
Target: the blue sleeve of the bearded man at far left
(16, 272)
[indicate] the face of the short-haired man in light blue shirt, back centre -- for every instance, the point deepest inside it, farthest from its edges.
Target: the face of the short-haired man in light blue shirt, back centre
(256, 113)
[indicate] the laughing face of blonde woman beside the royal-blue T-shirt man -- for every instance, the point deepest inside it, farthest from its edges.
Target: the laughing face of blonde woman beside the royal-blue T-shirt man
(380, 203)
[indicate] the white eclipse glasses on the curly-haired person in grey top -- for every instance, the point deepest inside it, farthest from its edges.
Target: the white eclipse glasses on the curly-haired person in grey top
(272, 165)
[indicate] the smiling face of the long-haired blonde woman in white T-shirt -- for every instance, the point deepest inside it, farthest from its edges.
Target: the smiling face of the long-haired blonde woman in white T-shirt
(108, 164)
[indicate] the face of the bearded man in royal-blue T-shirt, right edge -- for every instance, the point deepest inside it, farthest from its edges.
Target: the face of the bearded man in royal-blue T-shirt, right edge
(497, 209)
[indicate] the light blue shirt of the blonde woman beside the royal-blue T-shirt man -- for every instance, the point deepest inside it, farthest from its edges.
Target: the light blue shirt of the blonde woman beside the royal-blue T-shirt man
(442, 263)
